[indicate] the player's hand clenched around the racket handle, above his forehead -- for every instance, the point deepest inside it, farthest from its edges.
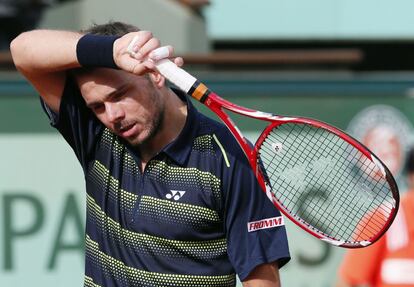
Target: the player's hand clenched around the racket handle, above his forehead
(142, 58)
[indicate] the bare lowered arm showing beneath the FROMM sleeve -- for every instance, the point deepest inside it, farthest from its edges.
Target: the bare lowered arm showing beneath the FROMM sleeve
(265, 275)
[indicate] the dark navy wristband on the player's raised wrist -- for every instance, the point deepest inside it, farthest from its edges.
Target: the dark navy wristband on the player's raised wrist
(96, 51)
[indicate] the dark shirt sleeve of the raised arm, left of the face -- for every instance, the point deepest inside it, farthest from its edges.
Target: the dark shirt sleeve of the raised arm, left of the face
(75, 121)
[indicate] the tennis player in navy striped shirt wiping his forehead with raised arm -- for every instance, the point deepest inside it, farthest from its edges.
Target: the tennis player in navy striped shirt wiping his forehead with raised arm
(169, 192)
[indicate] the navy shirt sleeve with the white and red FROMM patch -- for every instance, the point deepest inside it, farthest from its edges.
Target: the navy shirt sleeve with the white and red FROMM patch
(255, 230)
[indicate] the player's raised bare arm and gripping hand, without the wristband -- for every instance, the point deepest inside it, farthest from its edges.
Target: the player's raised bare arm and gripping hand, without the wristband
(44, 56)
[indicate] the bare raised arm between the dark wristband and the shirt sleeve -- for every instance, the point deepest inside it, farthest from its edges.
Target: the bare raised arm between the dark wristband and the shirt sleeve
(43, 56)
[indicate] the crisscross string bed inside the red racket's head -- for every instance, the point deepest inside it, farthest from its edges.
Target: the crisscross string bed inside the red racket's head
(325, 182)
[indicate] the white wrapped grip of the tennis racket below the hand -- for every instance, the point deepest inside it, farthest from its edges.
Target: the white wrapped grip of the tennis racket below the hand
(175, 75)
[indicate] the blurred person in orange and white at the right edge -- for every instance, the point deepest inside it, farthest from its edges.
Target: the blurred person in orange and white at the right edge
(390, 261)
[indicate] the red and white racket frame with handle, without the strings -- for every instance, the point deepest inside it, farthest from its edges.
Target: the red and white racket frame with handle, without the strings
(215, 103)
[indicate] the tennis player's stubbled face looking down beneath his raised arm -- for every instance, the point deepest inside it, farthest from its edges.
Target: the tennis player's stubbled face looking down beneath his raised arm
(129, 105)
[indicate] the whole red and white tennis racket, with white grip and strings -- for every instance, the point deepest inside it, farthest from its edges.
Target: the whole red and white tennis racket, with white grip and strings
(319, 177)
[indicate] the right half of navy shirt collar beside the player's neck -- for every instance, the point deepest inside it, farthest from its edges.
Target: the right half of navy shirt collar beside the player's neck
(180, 149)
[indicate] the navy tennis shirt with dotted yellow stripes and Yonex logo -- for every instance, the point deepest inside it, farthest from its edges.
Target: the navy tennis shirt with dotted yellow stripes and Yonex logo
(184, 220)
